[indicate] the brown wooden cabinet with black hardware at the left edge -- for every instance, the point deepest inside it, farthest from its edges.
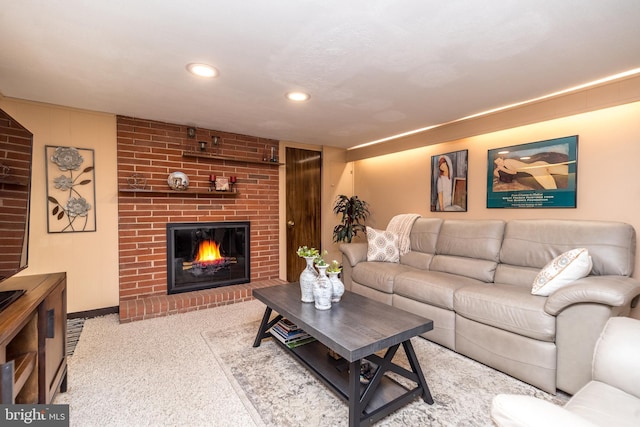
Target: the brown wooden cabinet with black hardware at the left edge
(33, 362)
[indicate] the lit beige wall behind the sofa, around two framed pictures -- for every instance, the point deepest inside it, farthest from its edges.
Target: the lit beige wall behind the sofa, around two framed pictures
(608, 172)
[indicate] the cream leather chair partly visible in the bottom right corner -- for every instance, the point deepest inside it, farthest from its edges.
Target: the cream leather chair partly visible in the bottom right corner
(611, 398)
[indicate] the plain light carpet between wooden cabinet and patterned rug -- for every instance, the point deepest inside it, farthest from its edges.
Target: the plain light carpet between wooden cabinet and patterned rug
(156, 372)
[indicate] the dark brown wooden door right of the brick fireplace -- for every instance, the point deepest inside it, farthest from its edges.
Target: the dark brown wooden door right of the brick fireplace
(303, 191)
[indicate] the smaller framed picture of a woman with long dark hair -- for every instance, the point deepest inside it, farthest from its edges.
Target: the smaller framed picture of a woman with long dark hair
(449, 182)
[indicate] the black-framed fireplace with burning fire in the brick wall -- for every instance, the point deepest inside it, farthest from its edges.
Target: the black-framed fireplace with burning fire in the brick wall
(207, 255)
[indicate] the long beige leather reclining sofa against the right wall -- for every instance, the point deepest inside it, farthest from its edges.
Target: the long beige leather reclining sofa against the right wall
(474, 279)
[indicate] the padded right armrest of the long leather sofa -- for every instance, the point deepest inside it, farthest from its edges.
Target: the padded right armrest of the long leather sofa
(614, 291)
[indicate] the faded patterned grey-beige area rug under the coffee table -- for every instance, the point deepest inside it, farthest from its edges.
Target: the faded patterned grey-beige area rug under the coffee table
(284, 393)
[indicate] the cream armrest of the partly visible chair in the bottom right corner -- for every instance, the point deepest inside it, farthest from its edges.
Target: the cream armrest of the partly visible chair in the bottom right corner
(514, 410)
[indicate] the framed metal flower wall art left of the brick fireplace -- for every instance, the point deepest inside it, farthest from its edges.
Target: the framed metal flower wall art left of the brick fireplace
(71, 191)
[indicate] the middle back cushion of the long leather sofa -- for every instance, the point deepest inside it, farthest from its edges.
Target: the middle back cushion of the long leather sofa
(469, 248)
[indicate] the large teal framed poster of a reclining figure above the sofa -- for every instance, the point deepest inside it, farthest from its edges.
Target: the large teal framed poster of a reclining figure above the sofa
(539, 174)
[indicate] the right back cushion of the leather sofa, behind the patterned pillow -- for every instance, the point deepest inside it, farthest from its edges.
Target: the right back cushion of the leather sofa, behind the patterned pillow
(533, 243)
